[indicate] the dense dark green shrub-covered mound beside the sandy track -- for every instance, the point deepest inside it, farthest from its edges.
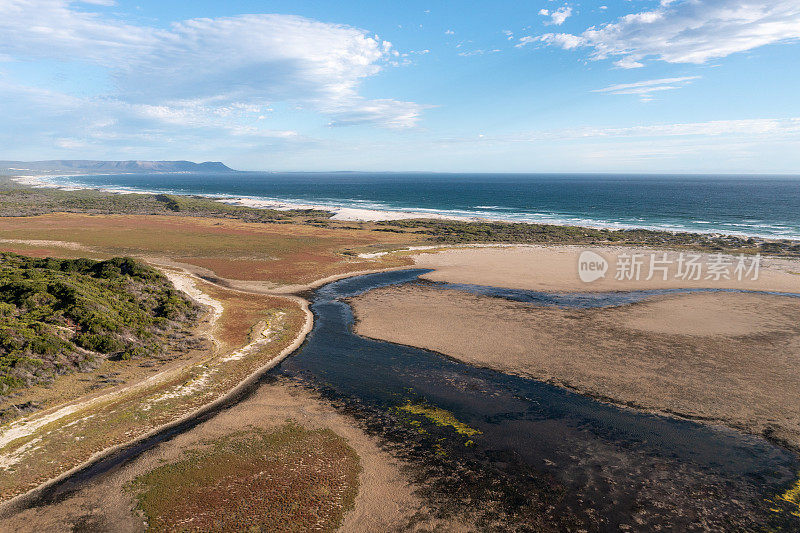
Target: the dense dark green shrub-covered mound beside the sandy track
(62, 315)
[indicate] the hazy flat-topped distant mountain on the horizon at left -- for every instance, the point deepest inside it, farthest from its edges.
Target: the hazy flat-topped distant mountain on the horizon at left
(68, 165)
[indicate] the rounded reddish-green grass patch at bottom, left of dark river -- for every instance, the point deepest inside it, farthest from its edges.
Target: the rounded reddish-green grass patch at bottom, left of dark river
(288, 479)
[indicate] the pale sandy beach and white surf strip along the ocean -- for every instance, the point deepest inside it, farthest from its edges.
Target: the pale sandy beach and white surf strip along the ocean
(345, 213)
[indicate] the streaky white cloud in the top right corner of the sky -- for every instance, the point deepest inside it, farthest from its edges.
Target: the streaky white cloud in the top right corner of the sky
(687, 31)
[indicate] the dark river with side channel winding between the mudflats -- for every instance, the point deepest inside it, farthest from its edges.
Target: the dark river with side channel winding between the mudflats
(522, 454)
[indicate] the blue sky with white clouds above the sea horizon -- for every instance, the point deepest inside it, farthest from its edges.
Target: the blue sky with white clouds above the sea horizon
(670, 86)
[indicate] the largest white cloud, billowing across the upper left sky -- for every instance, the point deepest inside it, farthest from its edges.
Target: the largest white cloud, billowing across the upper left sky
(248, 59)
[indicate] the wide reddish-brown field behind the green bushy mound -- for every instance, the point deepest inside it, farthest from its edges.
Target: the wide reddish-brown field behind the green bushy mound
(280, 253)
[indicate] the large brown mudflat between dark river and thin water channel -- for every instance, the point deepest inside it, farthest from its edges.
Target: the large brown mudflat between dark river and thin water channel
(722, 357)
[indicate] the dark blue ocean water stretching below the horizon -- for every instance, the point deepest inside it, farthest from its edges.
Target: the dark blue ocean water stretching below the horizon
(749, 205)
